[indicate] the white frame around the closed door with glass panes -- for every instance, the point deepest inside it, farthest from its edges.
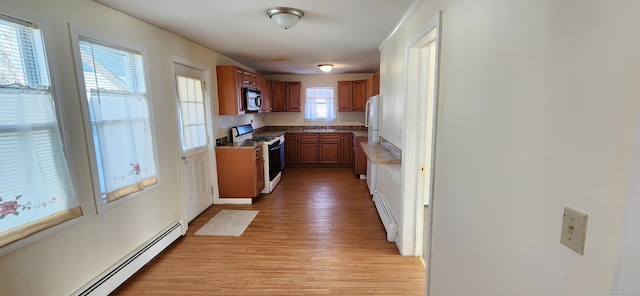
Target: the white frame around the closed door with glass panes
(206, 70)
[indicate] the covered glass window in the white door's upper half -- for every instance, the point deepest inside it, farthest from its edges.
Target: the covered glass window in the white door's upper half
(192, 115)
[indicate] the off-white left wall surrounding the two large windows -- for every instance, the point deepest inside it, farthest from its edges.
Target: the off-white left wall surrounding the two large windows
(66, 260)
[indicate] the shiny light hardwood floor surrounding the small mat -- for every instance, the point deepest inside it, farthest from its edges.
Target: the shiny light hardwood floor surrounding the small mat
(317, 233)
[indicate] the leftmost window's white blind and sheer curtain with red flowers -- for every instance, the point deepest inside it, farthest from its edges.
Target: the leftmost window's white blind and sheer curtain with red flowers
(35, 188)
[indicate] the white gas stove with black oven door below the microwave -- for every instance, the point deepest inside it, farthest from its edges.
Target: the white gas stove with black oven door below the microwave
(273, 153)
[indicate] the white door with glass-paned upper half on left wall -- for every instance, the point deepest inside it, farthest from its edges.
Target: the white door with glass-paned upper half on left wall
(193, 128)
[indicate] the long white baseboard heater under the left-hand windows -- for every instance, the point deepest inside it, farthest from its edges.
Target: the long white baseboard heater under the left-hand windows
(117, 274)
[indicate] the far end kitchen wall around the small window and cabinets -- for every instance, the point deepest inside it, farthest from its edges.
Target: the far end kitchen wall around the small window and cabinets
(319, 80)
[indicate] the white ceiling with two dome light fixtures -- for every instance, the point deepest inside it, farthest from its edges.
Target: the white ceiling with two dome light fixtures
(345, 33)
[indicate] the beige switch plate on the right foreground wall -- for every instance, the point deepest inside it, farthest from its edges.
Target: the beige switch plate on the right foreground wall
(574, 229)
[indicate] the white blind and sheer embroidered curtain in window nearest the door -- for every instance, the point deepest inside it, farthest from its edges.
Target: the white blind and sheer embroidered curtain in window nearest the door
(120, 122)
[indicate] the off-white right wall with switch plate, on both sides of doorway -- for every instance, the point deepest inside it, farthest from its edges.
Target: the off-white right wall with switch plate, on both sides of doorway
(538, 110)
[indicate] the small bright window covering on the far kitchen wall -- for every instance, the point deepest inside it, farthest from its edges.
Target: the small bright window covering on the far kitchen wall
(320, 104)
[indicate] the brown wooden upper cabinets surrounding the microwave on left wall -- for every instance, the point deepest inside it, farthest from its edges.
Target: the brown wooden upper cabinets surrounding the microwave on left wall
(231, 80)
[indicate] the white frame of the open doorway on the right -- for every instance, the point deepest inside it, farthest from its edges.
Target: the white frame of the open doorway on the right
(423, 64)
